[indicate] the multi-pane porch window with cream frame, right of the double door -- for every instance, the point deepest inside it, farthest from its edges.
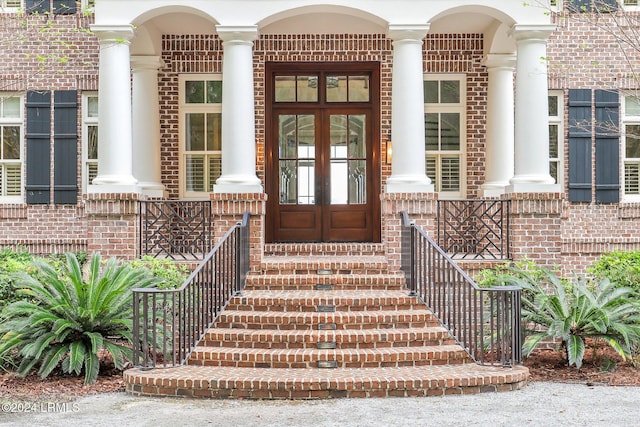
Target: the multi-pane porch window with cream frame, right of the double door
(445, 133)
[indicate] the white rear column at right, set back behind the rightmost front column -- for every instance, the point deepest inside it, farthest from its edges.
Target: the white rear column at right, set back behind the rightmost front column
(499, 146)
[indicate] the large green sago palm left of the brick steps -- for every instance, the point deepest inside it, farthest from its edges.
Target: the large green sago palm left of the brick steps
(68, 319)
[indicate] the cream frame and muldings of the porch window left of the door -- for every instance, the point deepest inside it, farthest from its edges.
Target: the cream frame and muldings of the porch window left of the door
(185, 109)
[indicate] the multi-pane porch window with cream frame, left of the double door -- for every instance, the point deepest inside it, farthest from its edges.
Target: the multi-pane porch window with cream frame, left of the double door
(200, 133)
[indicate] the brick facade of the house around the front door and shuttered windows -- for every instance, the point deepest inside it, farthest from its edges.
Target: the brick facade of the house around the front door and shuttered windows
(546, 227)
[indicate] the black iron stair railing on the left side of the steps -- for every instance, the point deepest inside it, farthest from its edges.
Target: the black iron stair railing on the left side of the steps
(167, 324)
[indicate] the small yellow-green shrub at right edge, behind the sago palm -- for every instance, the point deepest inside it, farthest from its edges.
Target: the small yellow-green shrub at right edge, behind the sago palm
(622, 268)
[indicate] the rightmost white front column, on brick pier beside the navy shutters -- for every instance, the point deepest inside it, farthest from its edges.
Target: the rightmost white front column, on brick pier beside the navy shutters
(532, 112)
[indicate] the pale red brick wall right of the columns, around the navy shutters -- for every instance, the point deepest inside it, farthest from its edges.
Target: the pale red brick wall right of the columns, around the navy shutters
(584, 54)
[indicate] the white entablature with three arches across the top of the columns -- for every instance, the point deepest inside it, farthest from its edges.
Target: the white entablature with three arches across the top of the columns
(264, 12)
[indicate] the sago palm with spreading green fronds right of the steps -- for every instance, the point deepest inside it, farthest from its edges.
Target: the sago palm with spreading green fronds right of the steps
(600, 310)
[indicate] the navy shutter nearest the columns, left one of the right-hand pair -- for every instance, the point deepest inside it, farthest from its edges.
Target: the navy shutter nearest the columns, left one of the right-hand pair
(580, 145)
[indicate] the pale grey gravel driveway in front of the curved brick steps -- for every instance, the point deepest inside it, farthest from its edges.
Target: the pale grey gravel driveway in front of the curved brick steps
(538, 404)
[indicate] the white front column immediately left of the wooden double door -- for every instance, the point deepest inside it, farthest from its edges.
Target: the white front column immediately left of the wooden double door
(238, 116)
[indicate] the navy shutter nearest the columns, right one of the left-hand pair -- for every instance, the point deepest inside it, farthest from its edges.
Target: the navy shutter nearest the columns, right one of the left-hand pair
(65, 149)
